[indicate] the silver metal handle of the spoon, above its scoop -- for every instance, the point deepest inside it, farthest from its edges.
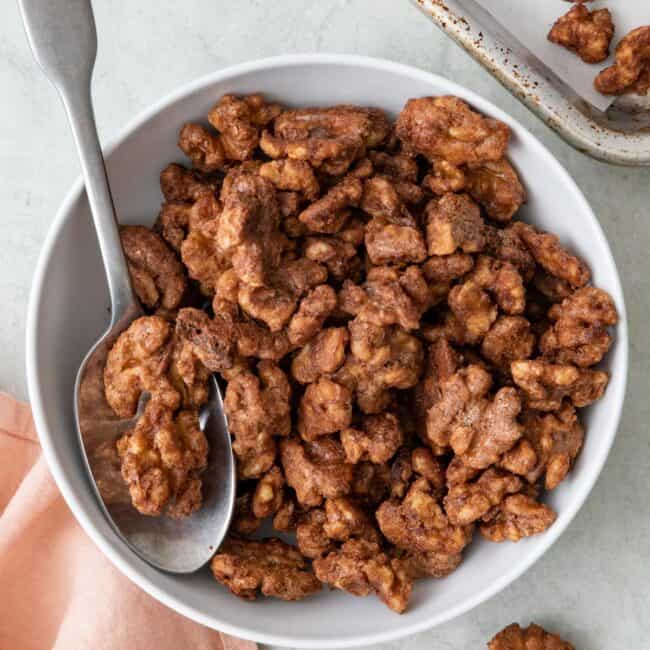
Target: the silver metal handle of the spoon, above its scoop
(63, 39)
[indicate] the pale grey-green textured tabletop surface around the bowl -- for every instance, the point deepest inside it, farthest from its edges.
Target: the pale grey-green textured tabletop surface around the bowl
(593, 586)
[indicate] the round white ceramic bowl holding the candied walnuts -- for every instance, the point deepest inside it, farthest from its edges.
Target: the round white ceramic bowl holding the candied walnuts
(68, 311)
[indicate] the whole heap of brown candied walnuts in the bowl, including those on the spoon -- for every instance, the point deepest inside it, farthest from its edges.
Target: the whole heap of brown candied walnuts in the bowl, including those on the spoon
(403, 361)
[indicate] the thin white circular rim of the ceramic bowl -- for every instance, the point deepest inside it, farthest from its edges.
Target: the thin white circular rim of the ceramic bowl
(45, 434)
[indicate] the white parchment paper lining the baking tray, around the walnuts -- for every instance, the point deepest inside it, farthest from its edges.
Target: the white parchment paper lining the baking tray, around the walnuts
(531, 20)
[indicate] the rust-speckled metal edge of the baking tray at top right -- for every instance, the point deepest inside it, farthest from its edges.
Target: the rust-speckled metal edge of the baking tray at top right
(619, 135)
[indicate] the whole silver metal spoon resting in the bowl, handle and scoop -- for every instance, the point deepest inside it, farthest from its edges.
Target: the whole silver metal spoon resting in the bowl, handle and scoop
(64, 41)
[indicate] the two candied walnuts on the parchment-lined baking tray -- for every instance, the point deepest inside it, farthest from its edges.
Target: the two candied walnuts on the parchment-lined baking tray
(589, 34)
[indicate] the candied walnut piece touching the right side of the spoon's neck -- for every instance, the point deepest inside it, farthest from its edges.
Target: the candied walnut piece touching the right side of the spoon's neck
(157, 275)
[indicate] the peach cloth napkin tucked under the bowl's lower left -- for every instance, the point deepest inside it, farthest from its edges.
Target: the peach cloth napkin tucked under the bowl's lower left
(57, 589)
